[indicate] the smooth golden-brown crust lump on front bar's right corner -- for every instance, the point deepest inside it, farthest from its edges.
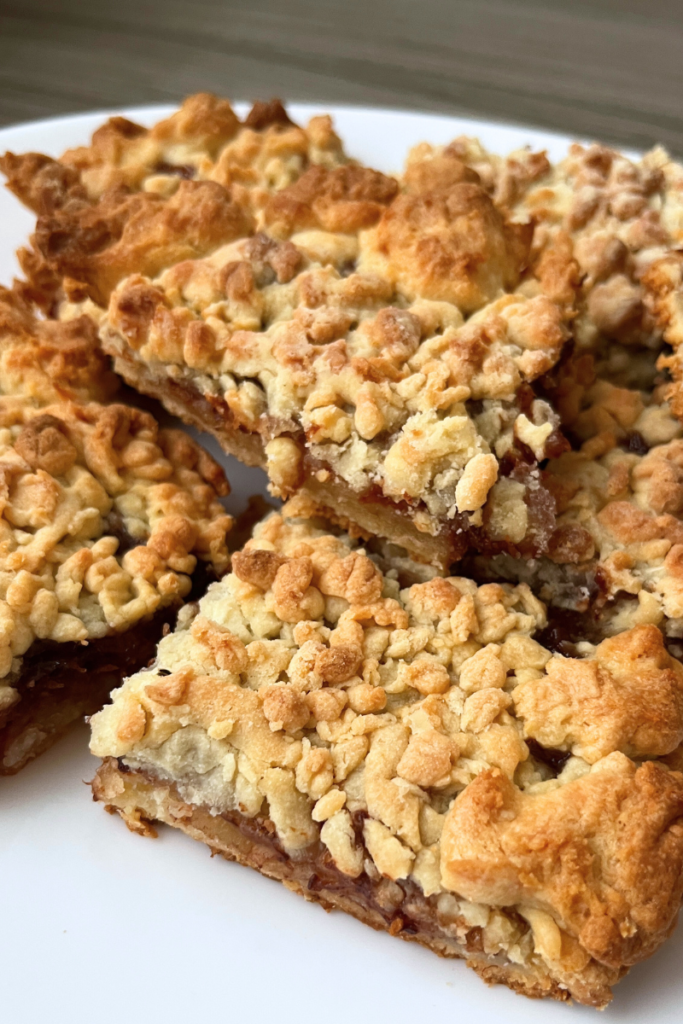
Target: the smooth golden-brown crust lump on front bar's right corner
(535, 851)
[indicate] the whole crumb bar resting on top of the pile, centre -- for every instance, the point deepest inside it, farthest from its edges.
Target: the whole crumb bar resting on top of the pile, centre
(347, 373)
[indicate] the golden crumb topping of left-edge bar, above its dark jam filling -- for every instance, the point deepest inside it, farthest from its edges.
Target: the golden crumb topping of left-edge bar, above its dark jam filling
(104, 519)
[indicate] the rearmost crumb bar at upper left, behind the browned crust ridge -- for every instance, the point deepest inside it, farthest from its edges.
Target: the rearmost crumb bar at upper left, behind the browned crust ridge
(203, 141)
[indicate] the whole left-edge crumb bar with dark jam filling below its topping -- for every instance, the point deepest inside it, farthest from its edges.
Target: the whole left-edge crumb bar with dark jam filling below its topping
(106, 523)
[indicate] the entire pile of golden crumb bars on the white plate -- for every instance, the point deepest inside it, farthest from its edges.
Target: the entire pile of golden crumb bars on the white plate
(442, 689)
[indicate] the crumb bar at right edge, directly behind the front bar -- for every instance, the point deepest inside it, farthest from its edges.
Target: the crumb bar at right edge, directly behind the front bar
(616, 549)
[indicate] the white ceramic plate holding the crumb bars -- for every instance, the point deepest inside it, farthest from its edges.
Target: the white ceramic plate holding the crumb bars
(100, 926)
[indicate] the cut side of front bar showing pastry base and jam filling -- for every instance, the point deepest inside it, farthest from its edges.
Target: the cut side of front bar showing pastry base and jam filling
(400, 909)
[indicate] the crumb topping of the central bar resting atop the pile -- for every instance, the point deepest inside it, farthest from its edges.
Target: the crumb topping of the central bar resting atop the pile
(357, 378)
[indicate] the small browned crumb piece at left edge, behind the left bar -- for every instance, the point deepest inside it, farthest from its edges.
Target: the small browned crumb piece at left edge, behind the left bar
(50, 361)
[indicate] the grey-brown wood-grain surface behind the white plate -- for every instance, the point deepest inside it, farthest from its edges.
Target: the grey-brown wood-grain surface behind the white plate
(607, 69)
